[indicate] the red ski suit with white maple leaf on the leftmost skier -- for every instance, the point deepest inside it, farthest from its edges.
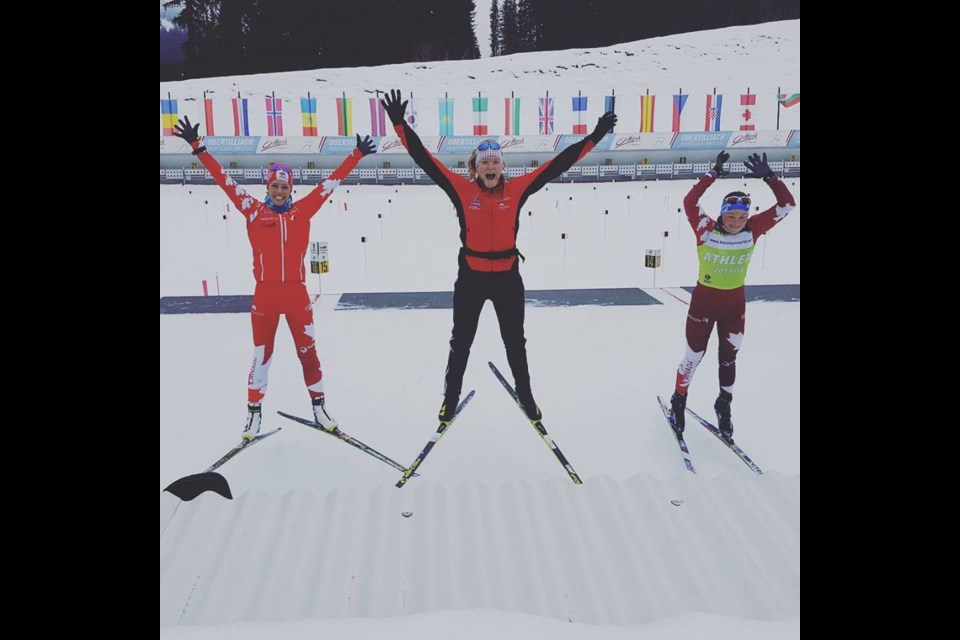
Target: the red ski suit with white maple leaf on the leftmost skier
(279, 242)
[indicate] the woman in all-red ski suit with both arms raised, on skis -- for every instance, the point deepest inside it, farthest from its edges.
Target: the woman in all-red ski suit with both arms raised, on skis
(278, 229)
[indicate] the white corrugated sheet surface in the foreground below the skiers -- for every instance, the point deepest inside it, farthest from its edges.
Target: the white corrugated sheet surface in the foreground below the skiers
(606, 552)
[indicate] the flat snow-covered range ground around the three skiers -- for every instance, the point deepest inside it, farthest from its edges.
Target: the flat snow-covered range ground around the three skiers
(595, 370)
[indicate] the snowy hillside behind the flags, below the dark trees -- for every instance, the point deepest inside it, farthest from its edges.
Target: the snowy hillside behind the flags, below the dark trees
(762, 58)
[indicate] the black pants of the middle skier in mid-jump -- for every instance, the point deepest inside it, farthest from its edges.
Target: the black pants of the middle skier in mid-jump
(472, 290)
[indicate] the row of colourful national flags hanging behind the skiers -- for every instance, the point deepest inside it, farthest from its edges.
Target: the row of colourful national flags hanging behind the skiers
(546, 114)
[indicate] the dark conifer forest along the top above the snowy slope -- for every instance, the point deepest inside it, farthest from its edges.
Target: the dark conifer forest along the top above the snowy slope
(235, 37)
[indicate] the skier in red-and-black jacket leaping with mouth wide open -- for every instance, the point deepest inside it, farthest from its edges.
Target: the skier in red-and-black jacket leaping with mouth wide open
(488, 208)
